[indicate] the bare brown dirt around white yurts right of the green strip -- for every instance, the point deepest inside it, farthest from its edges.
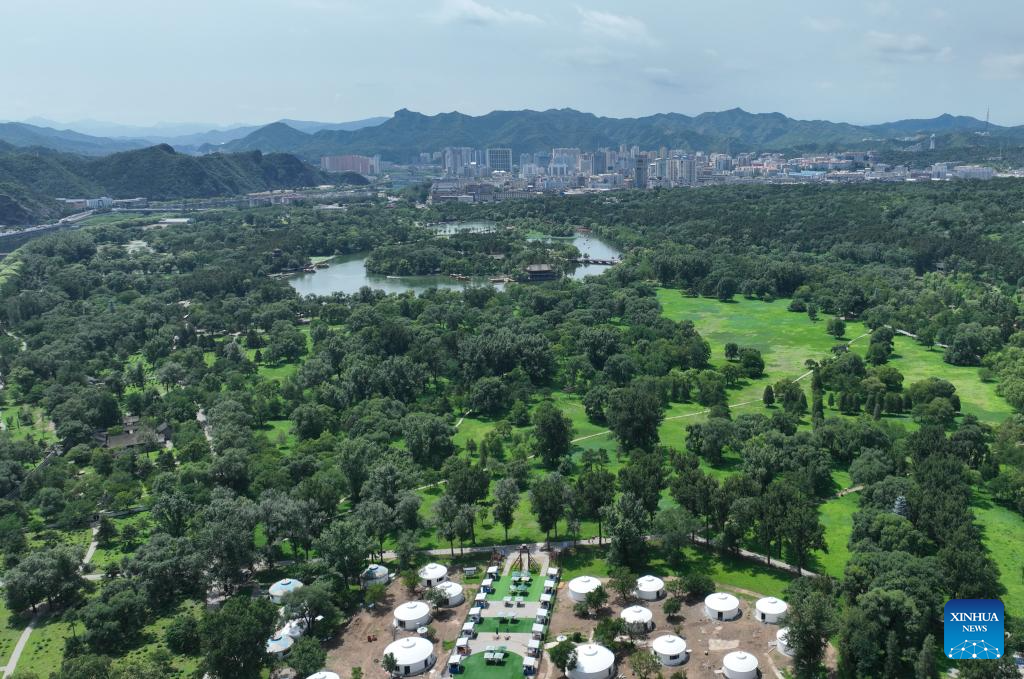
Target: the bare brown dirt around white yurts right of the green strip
(708, 642)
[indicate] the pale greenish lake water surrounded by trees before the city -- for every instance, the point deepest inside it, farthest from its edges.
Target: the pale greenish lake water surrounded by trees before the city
(349, 274)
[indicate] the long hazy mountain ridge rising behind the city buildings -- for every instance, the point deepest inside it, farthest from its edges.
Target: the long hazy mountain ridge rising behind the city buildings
(408, 134)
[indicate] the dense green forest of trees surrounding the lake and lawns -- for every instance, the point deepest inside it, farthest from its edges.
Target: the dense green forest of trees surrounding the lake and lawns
(338, 430)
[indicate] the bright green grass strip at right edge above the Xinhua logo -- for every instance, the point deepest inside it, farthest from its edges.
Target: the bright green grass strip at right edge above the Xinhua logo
(1004, 537)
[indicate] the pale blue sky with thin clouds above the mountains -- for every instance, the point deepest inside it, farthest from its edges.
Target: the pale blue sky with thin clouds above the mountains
(225, 62)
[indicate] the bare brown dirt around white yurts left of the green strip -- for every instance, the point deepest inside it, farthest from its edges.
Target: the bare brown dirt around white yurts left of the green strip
(352, 649)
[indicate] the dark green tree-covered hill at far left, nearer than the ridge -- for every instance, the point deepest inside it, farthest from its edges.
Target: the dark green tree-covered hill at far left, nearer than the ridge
(30, 180)
